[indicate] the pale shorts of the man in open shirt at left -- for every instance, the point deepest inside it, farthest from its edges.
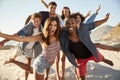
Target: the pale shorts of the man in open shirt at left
(27, 52)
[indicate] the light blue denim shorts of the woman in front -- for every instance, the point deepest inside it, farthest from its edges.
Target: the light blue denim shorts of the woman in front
(41, 64)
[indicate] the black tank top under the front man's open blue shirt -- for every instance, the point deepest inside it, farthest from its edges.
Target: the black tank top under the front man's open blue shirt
(79, 50)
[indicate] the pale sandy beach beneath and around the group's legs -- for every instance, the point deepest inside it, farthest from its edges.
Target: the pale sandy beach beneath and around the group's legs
(95, 71)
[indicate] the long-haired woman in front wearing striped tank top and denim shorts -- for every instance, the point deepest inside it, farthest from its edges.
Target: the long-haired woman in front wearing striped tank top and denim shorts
(50, 46)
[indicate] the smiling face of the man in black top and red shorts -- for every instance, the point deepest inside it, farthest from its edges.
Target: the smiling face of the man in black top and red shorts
(71, 25)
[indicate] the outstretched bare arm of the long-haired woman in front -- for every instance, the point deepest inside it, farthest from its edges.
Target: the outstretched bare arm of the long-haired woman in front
(21, 39)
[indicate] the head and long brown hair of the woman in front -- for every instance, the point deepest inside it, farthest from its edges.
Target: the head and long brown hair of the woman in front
(51, 27)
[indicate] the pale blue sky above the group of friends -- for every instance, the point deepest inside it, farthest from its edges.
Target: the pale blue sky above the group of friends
(14, 12)
